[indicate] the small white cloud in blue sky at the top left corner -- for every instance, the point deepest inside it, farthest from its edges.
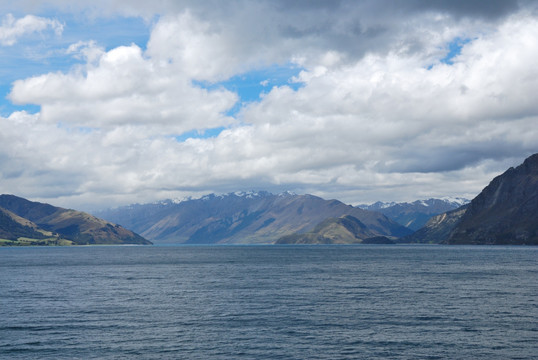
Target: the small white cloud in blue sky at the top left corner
(12, 29)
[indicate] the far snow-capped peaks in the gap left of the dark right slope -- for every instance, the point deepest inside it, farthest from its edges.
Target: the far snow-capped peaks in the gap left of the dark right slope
(416, 214)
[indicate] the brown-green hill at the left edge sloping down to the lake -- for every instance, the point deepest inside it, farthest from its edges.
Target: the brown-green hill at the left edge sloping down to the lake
(33, 222)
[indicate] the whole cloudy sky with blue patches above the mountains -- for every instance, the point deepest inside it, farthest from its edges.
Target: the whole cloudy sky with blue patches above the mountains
(109, 103)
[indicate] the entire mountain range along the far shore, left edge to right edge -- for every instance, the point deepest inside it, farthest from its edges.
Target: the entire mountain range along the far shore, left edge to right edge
(505, 212)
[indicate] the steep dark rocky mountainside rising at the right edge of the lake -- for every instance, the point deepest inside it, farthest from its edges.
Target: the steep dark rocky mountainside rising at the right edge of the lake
(505, 212)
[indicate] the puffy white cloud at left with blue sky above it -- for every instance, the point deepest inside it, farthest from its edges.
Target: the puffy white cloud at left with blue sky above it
(124, 87)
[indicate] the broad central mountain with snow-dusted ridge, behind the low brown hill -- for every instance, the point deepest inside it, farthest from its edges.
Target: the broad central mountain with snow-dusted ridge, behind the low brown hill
(253, 217)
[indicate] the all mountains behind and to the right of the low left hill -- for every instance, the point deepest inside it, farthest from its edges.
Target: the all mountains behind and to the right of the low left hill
(505, 212)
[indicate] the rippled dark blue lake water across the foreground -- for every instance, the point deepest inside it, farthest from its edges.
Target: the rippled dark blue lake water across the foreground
(269, 302)
